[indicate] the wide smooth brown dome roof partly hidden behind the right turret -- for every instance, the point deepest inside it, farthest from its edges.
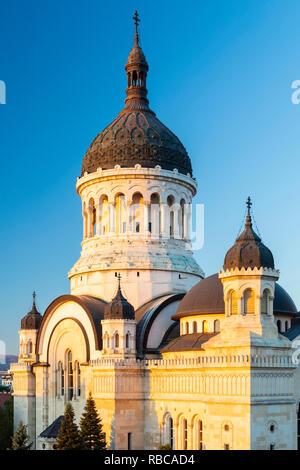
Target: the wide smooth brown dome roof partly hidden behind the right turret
(206, 297)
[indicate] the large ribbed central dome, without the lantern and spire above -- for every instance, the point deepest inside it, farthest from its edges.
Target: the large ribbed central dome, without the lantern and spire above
(136, 137)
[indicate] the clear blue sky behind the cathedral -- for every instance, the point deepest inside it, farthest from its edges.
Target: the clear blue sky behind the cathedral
(220, 78)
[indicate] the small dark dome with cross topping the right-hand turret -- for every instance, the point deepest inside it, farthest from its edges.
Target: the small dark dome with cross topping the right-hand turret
(248, 250)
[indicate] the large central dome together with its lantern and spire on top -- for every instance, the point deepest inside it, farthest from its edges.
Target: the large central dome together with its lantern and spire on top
(136, 136)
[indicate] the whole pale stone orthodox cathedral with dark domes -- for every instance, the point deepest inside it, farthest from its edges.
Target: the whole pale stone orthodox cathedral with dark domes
(170, 357)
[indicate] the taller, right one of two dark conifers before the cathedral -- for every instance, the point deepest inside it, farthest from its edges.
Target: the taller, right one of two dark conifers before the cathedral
(92, 435)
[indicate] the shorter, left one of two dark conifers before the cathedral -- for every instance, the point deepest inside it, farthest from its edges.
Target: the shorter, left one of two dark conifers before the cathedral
(68, 435)
